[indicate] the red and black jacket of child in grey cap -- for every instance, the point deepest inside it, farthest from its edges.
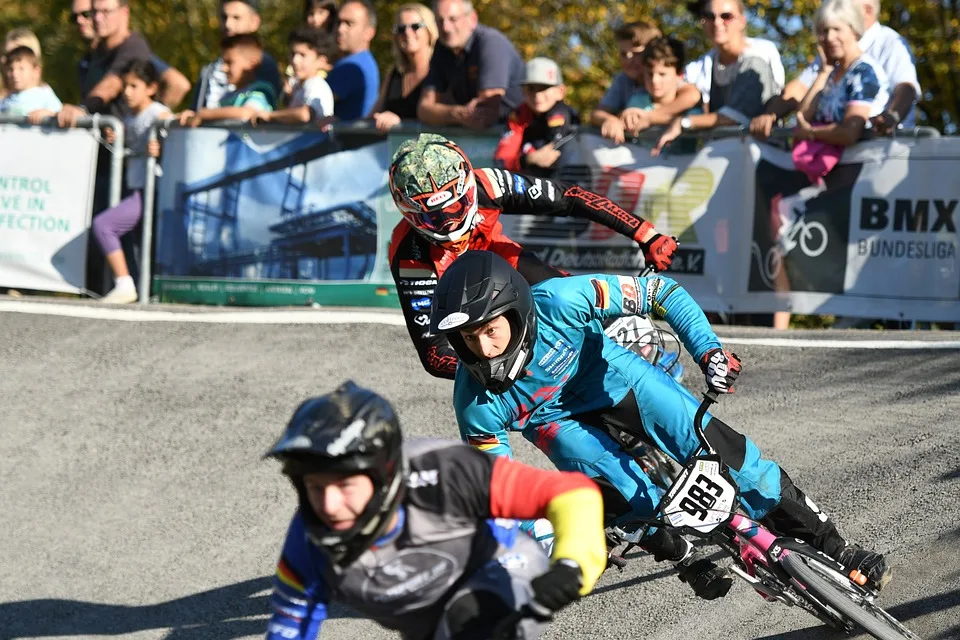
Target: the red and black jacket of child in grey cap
(527, 131)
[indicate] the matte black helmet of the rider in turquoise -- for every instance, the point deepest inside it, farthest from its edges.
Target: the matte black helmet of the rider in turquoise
(476, 288)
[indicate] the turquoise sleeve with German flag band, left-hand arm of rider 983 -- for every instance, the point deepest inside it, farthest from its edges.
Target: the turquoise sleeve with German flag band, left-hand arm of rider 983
(478, 417)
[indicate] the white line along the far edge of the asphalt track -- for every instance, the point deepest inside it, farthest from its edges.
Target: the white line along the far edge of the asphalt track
(389, 317)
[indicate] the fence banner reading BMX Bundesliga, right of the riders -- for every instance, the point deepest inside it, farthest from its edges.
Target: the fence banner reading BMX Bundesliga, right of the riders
(877, 238)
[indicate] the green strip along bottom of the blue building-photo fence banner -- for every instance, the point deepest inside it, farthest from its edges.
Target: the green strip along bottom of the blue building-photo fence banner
(273, 293)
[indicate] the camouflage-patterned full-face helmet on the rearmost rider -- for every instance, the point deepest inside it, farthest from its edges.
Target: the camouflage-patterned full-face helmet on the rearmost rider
(432, 183)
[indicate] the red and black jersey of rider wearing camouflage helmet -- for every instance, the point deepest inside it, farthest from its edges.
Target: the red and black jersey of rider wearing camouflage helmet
(416, 263)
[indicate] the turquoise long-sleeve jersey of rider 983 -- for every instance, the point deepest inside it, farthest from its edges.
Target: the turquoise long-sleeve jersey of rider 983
(575, 368)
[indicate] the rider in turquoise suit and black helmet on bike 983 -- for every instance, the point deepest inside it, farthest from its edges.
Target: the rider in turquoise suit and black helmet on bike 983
(536, 360)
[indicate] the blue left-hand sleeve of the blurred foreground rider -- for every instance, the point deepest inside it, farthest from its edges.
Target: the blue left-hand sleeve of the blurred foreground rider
(298, 601)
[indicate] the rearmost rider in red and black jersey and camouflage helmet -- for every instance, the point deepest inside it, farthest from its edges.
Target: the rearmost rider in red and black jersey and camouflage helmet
(449, 207)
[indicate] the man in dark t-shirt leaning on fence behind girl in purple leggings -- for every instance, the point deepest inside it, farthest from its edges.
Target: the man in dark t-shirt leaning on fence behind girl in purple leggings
(116, 47)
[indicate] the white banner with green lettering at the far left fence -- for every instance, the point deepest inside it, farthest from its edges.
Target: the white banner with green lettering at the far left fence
(46, 194)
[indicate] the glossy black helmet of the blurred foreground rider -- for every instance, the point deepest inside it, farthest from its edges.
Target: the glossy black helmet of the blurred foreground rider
(352, 430)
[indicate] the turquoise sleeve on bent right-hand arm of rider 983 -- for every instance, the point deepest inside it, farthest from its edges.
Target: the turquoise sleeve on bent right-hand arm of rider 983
(665, 299)
